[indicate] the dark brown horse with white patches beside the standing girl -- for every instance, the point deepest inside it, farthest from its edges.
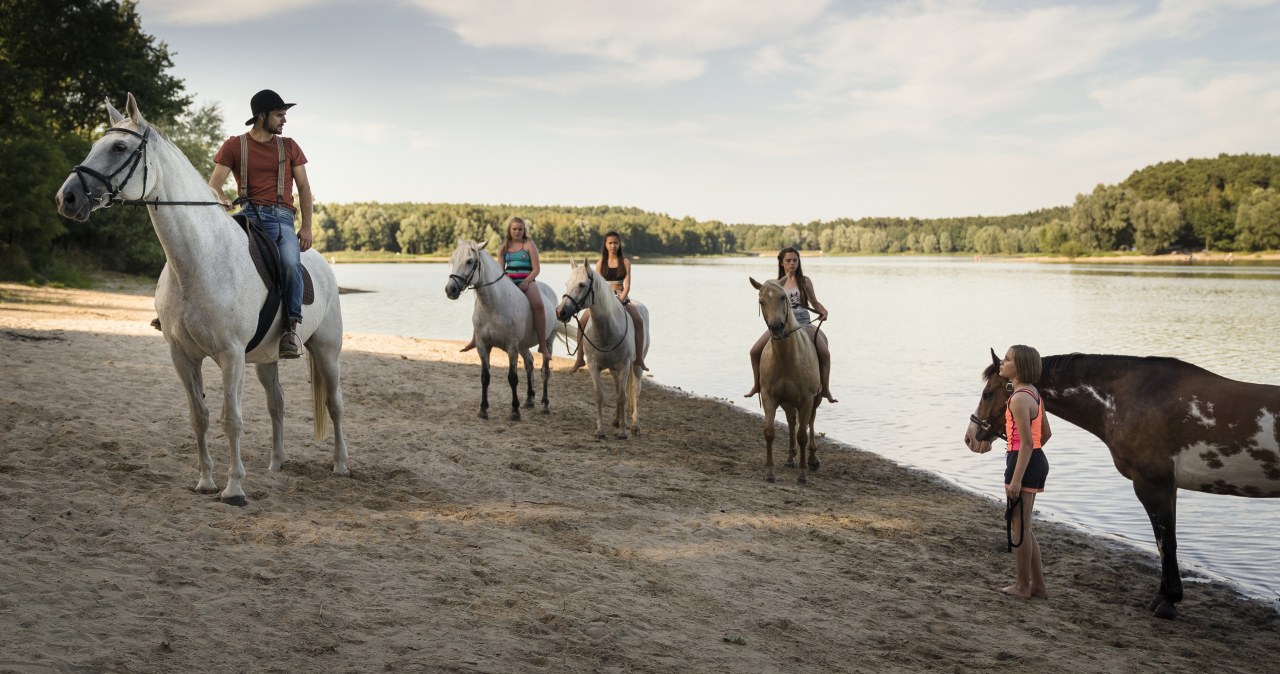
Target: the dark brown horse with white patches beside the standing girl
(1169, 425)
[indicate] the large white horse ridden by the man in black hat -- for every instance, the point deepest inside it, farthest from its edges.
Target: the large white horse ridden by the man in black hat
(209, 294)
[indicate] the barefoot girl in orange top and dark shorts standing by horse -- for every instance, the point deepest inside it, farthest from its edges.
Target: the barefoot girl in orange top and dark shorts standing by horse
(1026, 466)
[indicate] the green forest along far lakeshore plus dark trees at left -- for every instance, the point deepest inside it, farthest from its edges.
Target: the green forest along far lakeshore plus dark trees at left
(52, 111)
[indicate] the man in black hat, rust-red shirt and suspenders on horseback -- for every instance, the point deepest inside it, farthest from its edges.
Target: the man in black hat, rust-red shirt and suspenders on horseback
(266, 186)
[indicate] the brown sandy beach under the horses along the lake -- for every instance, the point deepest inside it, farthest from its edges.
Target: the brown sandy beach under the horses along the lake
(469, 545)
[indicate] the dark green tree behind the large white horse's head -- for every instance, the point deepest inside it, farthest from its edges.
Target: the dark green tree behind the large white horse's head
(60, 61)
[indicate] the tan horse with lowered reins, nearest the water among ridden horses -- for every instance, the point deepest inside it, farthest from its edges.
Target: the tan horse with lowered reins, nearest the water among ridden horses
(789, 378)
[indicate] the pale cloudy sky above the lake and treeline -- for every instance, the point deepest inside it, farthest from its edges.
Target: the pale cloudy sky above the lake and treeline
(738, 111)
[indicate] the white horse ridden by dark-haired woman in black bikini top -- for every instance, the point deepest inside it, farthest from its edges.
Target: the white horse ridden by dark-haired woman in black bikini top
(609, 342)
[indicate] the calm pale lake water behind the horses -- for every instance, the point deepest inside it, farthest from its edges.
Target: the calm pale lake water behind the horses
(908, 349)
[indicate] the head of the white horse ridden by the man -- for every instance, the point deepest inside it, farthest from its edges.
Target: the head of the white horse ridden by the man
(117, 167)
